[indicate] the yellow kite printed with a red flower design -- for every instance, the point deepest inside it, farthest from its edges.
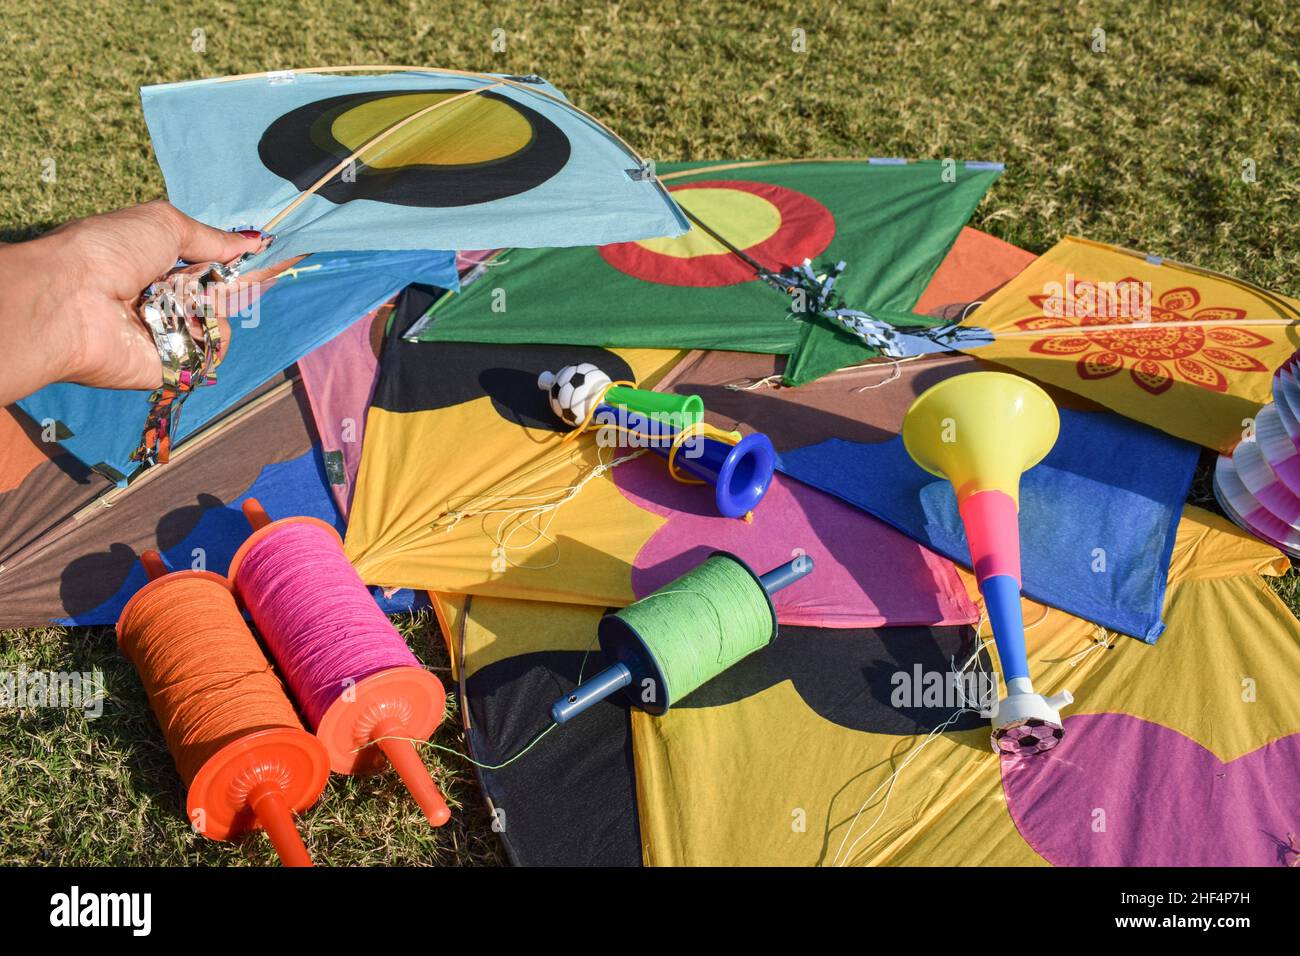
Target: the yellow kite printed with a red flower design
(1180, 348)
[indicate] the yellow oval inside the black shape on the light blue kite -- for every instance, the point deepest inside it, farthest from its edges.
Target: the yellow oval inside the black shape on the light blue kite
(475, 129)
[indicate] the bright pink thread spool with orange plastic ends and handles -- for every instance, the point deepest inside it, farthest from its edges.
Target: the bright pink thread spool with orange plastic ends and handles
(358, 684)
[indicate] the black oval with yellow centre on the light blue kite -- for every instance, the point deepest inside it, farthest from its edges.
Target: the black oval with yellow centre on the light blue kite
(500, 149)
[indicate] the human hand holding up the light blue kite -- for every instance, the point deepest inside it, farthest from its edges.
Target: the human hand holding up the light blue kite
(68, 309)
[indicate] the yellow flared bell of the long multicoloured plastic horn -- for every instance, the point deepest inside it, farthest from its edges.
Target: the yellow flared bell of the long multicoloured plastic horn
(981, 431)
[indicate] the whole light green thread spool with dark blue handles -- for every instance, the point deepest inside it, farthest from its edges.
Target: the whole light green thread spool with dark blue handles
(686, 634)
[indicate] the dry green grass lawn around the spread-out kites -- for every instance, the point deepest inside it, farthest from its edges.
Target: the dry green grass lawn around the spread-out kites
(1142, 145)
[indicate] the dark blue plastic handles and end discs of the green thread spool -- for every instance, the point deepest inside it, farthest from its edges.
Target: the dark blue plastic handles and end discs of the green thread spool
(636, 660)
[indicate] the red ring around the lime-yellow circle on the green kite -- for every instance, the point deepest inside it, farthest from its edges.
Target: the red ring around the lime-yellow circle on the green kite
(804, 231)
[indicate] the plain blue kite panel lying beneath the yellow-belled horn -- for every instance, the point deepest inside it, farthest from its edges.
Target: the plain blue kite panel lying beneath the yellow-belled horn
(1098, 516)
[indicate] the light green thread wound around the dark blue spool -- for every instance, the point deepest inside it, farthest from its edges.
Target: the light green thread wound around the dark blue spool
(703, 624)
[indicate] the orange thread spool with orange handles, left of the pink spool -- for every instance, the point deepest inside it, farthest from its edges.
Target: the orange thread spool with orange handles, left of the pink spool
(237, 742)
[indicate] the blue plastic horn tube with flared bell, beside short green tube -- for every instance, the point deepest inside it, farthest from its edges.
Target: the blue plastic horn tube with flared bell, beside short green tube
(740, 474)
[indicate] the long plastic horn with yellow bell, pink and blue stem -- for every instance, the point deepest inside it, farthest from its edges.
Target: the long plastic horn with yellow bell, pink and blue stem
(982, 431)
